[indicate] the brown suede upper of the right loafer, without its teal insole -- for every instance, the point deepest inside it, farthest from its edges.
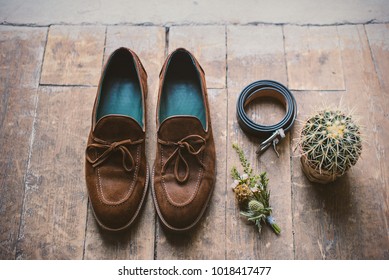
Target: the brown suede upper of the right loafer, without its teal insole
(183, 143)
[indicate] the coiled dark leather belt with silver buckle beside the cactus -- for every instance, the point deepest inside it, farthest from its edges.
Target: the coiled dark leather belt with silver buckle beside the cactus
(273, 133)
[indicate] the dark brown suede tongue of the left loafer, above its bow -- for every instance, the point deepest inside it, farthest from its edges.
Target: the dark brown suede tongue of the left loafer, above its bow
(113, 128)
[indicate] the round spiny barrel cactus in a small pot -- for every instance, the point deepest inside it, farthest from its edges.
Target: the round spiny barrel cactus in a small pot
(330, 144)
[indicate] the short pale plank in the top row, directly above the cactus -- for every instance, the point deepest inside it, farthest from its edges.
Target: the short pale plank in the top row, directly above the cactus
(313, 58)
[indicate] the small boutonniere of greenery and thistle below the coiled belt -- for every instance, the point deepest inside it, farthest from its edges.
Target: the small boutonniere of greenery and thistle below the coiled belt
(252, 194)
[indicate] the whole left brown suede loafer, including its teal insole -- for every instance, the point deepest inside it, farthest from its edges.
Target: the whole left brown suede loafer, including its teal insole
(116, 170)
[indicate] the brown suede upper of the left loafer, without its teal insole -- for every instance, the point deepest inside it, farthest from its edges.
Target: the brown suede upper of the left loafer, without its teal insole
(117, 185)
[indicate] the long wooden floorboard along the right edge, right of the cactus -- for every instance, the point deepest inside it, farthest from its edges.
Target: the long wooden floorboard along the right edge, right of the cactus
(371, 105)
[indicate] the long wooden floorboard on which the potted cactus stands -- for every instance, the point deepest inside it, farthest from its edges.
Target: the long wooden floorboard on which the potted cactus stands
(324, 217)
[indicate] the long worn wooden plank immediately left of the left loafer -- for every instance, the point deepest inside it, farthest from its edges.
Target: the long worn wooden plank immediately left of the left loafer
(55, 205)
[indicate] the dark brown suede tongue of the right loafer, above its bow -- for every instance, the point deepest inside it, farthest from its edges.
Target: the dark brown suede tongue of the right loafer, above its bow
(176, 128)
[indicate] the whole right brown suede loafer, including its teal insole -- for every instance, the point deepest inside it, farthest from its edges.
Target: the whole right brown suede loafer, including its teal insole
(184, 169)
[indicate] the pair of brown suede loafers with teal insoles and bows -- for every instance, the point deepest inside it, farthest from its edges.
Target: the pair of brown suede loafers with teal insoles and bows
(116, 170)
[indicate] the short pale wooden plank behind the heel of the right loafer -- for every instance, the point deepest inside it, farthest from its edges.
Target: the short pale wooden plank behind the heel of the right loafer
(208, 45)
